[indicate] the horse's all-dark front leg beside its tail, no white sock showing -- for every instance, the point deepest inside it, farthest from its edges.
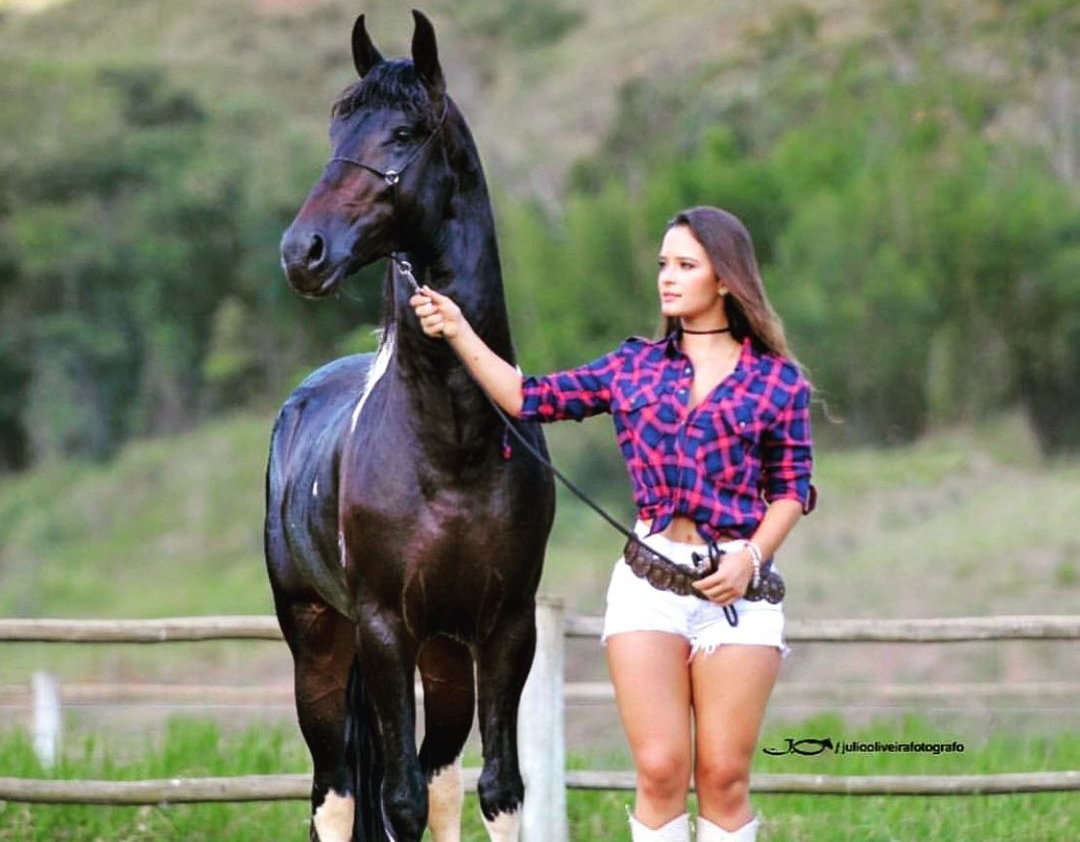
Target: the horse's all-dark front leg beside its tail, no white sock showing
(388, 662)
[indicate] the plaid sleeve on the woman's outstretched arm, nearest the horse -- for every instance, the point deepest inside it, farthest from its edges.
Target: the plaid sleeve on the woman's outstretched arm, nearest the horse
(573, 395)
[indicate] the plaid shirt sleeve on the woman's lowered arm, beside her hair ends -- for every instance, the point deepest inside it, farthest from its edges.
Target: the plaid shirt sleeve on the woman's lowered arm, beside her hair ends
(788, 453)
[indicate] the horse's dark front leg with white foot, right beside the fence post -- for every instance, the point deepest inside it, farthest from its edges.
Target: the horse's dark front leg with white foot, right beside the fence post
(504, 664)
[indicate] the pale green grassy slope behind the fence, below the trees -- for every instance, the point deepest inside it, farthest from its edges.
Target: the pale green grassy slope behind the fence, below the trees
(968, 523)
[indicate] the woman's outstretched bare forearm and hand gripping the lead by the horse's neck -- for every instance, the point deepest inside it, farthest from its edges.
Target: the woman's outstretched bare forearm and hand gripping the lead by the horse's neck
(441, 318)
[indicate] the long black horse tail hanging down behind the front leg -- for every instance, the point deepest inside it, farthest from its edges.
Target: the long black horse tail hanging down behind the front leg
(362, 752)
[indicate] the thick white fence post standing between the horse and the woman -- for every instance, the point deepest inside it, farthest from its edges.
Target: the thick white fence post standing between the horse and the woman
(542, 730)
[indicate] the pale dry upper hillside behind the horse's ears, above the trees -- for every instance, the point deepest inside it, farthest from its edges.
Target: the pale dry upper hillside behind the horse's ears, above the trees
(552, 71)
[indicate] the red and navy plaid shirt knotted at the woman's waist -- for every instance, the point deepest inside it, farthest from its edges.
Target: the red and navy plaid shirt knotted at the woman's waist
(721, 464)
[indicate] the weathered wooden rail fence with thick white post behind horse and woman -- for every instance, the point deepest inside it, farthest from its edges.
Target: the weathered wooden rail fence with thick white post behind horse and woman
(543, 714)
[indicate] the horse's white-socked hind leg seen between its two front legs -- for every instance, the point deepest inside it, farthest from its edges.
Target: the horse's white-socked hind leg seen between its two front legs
(447, 671)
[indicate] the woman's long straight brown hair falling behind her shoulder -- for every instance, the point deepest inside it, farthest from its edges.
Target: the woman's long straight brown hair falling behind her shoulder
(731, 251)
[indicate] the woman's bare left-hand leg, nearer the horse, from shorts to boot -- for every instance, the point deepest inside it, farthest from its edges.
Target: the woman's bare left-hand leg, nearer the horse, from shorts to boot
(653, 691)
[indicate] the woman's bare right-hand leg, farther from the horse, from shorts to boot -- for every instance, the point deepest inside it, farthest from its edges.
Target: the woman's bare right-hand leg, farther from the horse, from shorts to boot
(731, 687)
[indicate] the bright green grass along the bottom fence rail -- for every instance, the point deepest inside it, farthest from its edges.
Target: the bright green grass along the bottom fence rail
(197, 749)
